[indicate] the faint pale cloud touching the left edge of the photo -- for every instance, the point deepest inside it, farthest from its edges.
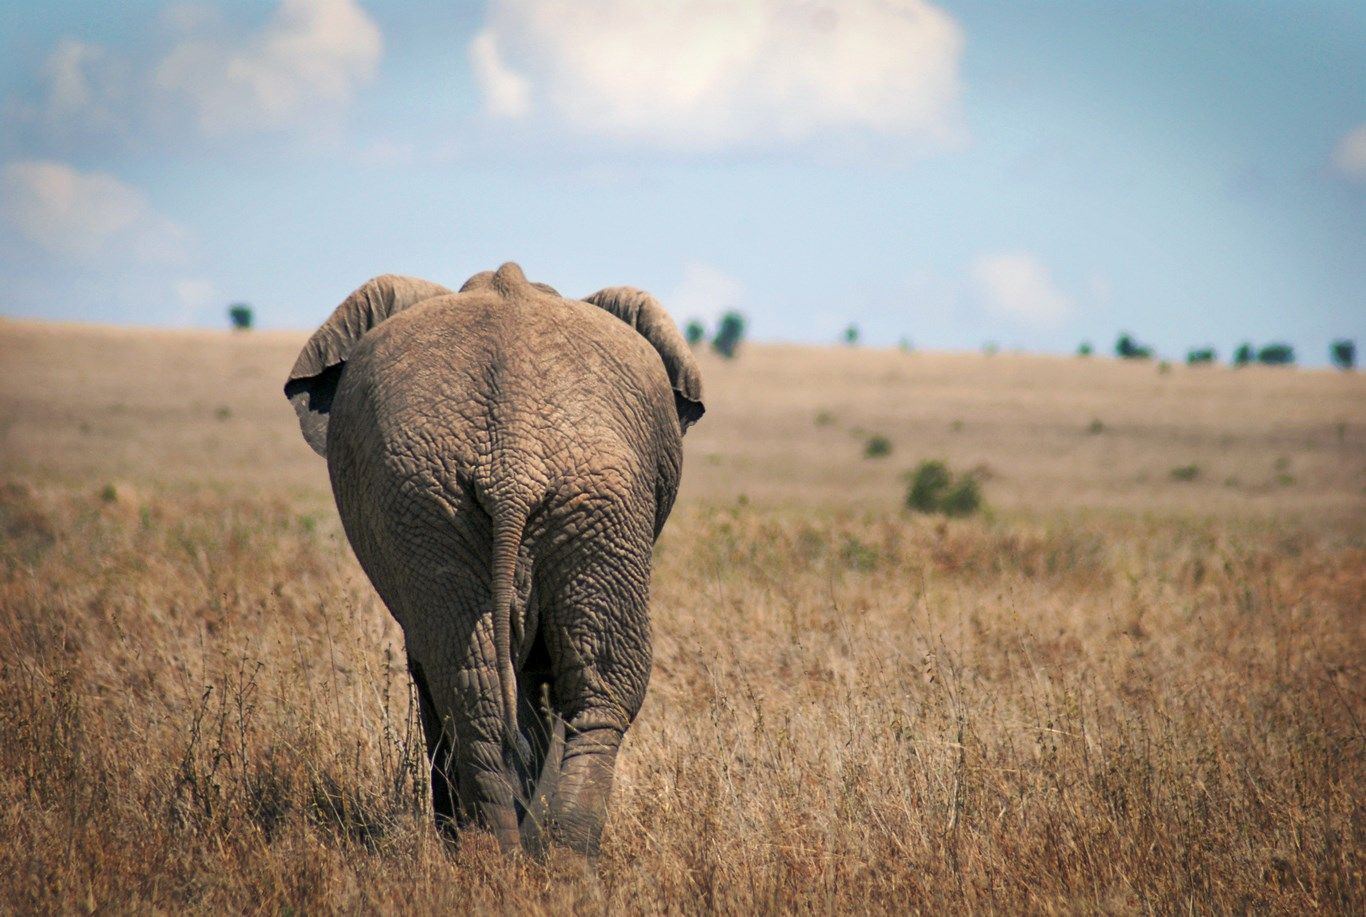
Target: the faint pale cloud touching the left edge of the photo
(85, 215)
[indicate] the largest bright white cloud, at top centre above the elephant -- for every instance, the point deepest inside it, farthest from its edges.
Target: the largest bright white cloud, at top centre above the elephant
(712, 74)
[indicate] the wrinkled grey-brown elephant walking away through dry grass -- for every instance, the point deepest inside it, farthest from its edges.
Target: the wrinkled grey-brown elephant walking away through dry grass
(503, 460)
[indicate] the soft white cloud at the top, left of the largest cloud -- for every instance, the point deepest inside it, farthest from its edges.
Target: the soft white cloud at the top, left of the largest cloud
(311, 54)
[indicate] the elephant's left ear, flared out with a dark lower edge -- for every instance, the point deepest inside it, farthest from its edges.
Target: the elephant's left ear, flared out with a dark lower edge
(316, 374)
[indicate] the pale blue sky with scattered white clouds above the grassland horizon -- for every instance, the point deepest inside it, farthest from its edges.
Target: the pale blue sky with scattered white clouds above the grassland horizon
(951, 173)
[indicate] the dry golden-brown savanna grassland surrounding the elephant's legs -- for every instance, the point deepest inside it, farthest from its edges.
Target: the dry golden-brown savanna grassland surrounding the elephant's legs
(1133, 684)
